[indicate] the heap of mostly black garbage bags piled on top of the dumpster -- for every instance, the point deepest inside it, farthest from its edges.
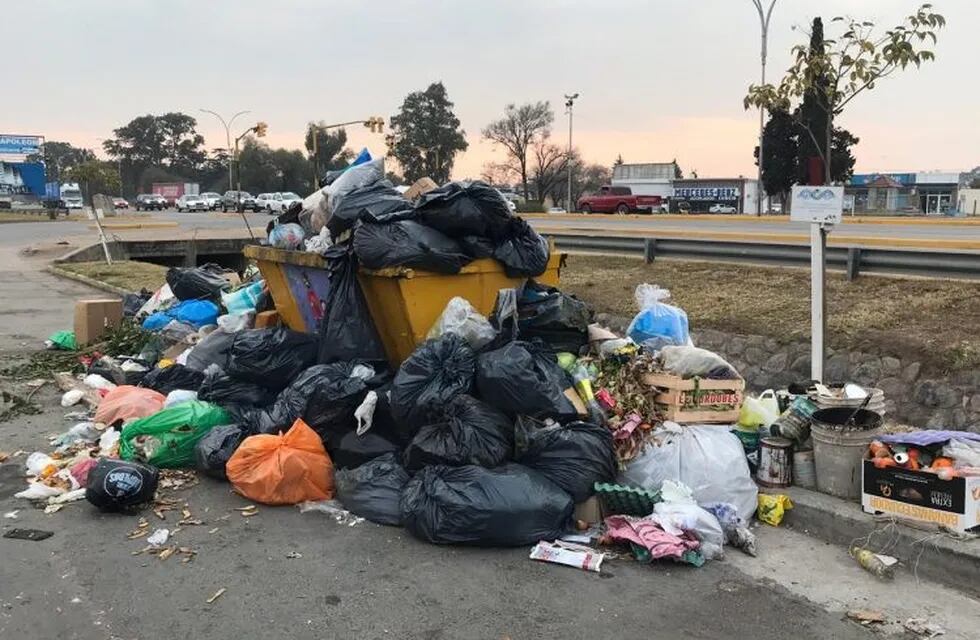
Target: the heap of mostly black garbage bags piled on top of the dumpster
(441, 229)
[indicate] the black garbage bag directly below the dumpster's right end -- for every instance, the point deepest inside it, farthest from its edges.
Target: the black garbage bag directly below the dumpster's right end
(560, 320)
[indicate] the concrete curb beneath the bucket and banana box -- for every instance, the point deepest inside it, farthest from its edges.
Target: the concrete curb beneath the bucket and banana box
(937, 557)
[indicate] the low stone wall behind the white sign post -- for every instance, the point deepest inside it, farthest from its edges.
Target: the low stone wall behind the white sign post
(910, 398)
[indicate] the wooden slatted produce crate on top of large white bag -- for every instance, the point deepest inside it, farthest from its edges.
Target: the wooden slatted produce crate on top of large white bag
(690, 401)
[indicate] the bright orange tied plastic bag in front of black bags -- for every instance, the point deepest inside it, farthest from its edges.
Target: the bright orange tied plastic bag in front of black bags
(282, 469)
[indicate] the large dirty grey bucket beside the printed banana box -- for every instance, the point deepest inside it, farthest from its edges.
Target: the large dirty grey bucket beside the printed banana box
(837, 452)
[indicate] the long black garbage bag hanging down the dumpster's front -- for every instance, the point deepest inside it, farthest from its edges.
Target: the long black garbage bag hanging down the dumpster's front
(347, 332)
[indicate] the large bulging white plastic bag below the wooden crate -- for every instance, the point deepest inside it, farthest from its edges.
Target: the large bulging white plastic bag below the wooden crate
(707, 458)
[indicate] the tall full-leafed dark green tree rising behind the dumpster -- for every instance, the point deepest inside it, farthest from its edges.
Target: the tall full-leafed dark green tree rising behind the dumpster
(426, 135)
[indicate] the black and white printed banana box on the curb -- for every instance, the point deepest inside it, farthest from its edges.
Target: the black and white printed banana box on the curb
(920, 495)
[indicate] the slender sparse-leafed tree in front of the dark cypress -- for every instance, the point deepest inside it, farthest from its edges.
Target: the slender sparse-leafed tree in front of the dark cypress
(834, 74)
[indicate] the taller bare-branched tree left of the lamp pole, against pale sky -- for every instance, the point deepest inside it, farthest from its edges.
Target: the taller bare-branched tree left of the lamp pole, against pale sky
(518, 131)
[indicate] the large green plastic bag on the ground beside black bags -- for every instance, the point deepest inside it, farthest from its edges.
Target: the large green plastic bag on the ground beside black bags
(171, 434)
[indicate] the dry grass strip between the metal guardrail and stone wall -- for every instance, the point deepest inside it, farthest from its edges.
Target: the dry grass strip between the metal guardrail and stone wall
(934, 321)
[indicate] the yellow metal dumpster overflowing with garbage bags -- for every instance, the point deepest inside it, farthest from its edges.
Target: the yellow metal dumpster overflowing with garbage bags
(403, 302)
